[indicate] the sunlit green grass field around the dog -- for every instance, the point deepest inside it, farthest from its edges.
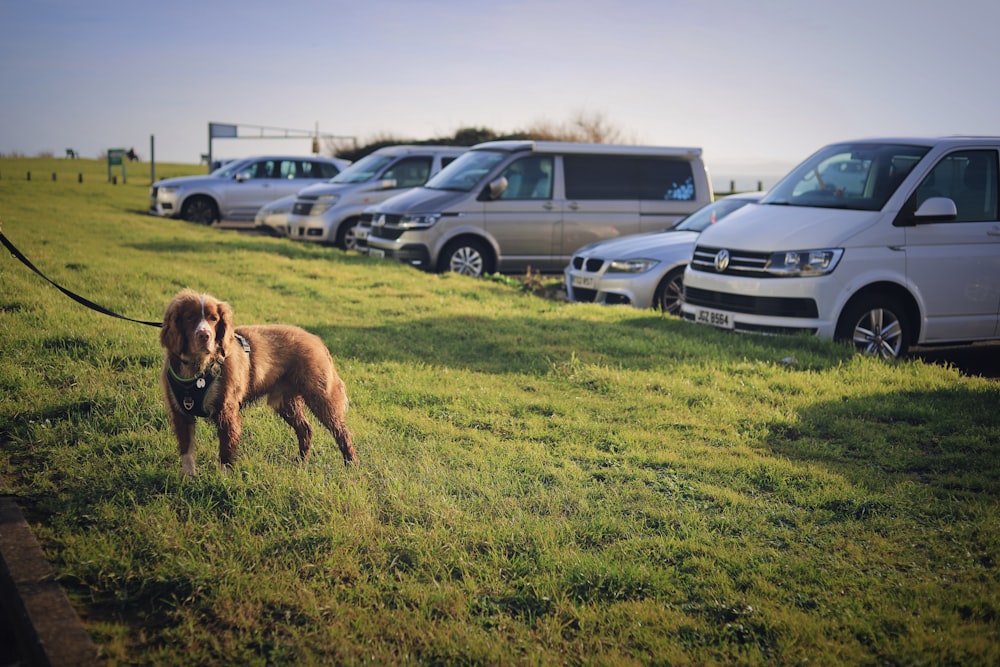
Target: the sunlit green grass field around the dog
(539, 482)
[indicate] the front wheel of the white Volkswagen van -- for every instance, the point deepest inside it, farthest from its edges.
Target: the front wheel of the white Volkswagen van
(875, 324)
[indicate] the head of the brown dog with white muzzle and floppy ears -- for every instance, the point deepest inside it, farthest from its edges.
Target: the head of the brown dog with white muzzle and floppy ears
(196, 325)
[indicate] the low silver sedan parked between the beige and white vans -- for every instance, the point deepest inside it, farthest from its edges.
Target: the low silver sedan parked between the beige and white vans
(645, 270)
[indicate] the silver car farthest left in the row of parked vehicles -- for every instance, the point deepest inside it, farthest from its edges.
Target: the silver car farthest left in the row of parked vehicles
(238, 189)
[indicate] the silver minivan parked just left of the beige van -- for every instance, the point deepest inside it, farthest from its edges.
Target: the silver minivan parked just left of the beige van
(328, 212)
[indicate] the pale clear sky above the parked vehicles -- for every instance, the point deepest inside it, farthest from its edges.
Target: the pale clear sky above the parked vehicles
(757, 84)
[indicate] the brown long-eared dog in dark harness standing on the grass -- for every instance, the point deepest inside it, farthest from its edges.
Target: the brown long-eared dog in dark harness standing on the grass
(212, 370)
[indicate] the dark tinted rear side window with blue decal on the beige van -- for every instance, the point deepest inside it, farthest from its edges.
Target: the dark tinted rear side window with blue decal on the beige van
(628, 177)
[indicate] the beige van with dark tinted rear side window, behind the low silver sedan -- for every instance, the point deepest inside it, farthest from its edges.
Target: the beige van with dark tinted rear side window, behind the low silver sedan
(505, 206)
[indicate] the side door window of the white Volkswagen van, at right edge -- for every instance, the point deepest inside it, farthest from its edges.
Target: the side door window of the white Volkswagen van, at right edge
(969, 178)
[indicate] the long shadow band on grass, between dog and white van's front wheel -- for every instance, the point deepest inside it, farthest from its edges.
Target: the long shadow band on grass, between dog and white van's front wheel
(519, 344)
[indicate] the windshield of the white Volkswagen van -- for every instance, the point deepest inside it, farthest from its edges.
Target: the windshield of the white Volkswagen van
(859, 177)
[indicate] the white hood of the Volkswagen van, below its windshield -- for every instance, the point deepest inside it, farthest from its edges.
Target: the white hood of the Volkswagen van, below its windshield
(771, 227)
